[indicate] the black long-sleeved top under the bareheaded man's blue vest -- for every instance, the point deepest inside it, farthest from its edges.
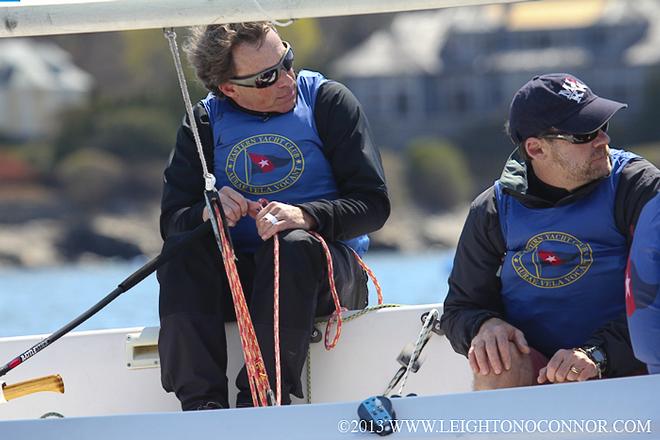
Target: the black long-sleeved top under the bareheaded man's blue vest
(363, 205)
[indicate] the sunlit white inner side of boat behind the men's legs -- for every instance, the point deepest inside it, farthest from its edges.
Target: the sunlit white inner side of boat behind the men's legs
(99, 381)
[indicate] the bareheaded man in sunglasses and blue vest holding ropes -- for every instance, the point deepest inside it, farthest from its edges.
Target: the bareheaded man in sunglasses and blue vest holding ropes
(291, 152)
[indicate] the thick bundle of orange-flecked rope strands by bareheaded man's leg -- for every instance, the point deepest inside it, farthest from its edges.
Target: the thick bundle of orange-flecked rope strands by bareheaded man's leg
(257, 375)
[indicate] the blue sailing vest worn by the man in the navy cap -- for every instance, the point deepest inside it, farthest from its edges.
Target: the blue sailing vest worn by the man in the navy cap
(563, 272)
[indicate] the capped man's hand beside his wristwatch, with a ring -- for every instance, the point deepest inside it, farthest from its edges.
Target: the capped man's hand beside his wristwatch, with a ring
(568, 366)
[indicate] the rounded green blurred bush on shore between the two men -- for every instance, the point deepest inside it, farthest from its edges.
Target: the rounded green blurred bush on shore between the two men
(438, 174)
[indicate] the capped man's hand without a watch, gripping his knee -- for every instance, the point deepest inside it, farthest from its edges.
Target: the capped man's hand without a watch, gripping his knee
(490, 348)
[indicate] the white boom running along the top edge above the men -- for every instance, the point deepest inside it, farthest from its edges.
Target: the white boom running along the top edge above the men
(39, 17)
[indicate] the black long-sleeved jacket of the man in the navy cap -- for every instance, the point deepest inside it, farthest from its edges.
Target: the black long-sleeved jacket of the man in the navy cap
(474, 284)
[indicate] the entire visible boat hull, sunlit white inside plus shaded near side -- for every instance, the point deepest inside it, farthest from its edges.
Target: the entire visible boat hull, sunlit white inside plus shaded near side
(105, 399)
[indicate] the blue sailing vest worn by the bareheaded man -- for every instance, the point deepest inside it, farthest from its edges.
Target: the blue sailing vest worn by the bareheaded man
(279, 157)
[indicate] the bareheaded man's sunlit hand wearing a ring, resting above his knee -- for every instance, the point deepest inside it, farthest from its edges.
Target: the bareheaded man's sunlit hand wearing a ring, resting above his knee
(276, 217)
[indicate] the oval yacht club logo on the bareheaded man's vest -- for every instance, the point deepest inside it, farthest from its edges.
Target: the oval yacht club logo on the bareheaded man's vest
(264, 164)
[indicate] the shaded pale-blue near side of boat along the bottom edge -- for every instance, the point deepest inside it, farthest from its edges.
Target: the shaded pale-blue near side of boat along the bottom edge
(608, 406)
